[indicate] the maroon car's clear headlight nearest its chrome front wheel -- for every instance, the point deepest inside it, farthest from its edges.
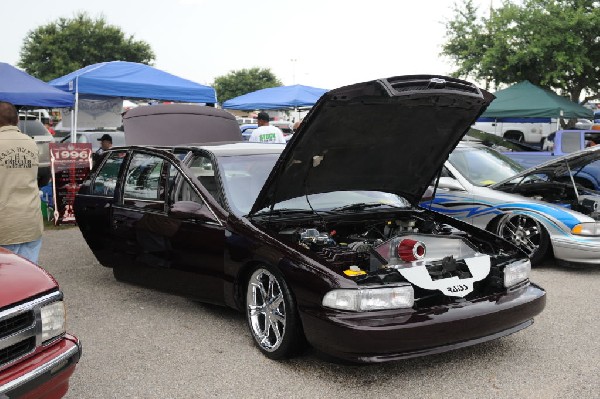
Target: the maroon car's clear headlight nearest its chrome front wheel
(366, 299)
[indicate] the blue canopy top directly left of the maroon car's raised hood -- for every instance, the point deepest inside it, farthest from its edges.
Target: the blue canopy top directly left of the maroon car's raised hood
(282, 97)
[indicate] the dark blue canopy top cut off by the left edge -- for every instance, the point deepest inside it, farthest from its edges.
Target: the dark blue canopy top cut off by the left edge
(19, 88)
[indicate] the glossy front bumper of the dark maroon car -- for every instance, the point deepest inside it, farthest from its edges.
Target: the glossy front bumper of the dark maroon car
(400, 334)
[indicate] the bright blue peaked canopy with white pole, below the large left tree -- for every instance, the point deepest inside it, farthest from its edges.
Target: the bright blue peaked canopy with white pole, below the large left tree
(131, 80)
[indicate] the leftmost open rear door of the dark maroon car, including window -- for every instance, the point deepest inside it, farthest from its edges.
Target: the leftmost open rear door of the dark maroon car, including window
(94, 204)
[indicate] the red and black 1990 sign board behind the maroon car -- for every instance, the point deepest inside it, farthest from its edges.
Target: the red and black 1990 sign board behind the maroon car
(70, 165)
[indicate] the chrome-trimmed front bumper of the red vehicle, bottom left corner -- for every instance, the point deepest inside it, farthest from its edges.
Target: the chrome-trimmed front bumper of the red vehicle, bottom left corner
(44, 375)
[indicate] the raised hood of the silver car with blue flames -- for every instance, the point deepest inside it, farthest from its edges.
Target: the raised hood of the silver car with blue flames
(560, 166)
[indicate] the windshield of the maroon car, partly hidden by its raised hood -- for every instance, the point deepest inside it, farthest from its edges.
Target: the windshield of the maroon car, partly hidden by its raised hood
(244, 176)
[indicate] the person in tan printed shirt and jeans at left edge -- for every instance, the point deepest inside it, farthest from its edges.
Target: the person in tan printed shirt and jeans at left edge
(21, 224)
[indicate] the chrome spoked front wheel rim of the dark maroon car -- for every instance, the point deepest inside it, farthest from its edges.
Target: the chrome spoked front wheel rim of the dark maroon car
(265, 306)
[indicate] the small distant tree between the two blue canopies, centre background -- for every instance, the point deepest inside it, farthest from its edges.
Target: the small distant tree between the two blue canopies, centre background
(244, 81)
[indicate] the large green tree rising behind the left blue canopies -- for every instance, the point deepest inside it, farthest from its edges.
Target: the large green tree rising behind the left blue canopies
(61, 47)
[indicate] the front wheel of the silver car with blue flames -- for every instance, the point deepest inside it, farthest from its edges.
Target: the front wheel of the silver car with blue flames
(526, 233)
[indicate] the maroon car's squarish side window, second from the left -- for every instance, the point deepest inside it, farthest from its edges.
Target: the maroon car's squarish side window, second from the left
(144, 178)
